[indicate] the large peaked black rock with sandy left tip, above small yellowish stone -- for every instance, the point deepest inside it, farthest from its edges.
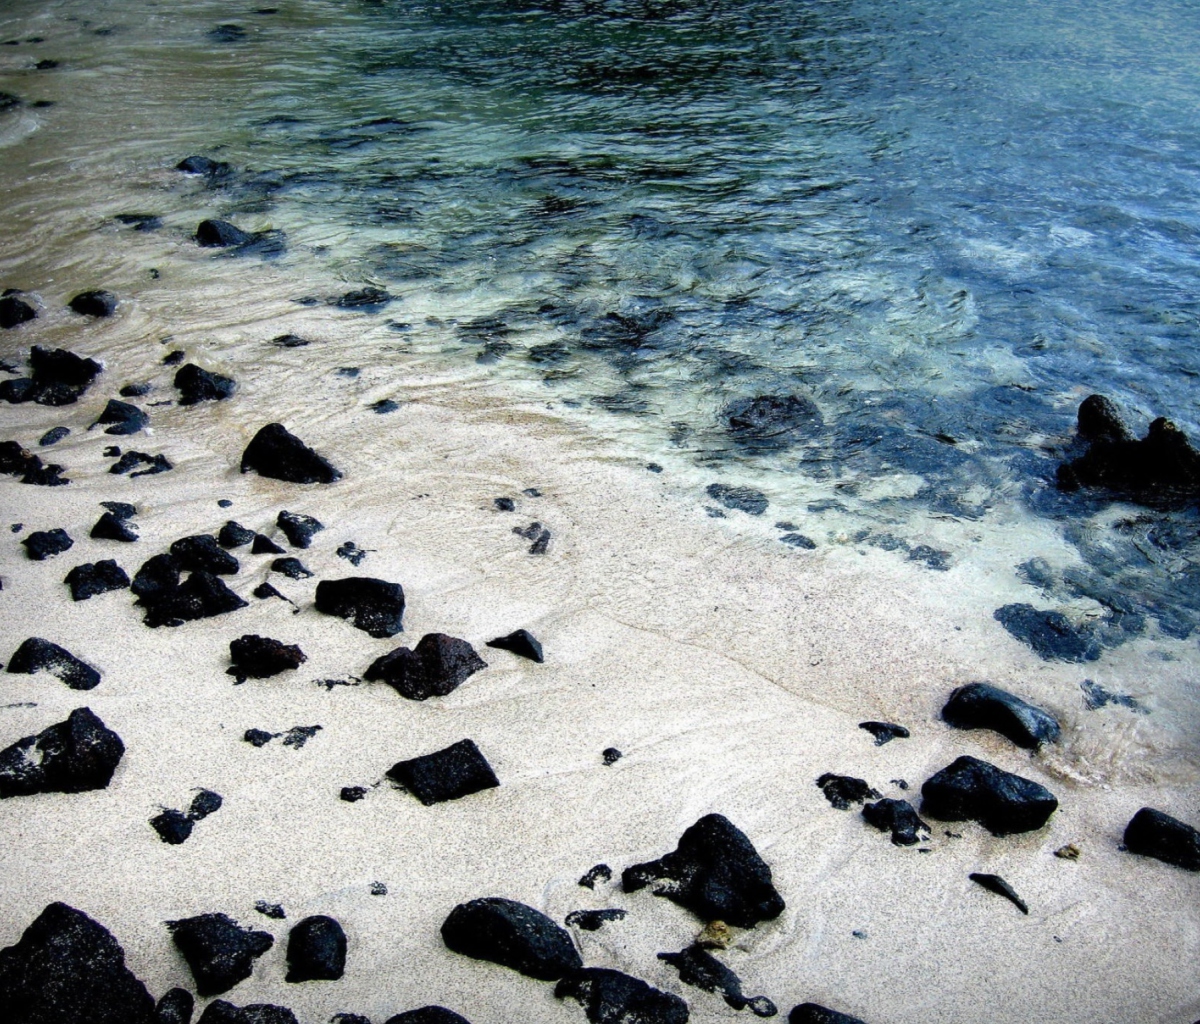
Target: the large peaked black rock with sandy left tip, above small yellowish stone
(716, 873)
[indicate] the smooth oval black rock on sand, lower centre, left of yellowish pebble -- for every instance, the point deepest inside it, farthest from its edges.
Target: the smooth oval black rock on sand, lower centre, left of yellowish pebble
(513, 936)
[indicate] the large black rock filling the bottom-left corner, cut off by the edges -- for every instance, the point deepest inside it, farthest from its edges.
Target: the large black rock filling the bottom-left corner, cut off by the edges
(69, 969)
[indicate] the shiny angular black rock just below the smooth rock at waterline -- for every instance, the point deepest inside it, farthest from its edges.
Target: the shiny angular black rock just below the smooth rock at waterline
(1004, 804)
